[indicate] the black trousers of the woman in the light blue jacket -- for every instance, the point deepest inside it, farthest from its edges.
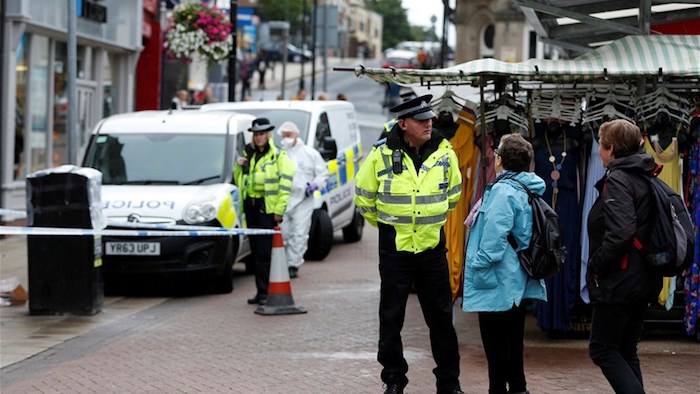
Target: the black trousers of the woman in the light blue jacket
(502, 334)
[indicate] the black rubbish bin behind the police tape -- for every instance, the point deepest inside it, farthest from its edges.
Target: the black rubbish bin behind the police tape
(65, 272)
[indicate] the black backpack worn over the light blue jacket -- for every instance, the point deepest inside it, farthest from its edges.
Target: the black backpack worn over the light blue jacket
(546, 253)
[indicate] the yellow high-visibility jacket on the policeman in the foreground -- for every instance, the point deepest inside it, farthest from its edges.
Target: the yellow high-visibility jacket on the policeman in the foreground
(414, 203)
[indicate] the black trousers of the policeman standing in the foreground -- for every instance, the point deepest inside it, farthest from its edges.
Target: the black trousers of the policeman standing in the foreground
(430, 273)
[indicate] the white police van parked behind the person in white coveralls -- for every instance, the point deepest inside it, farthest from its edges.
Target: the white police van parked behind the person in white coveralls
(330, 127)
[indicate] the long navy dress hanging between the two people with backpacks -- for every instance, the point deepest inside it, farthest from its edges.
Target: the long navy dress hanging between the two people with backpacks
(563, 289)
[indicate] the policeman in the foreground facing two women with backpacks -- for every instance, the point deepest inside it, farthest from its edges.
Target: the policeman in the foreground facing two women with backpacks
(405, 187)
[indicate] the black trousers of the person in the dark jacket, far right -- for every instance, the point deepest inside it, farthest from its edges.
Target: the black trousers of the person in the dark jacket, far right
(615, 332)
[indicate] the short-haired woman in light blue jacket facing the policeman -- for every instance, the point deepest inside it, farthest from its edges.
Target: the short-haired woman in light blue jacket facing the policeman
(495, 285)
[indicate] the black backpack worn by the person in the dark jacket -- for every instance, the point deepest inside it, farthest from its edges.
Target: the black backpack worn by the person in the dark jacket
(670, 247)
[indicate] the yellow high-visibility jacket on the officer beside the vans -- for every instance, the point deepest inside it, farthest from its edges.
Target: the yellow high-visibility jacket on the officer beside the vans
(269, 176)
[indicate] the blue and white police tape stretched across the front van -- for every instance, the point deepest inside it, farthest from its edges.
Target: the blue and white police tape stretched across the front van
(211, 231)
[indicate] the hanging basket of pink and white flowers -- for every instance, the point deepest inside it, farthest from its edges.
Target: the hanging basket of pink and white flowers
(197, 28)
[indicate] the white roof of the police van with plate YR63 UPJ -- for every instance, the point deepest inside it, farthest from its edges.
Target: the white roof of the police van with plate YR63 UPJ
(174, 122)
